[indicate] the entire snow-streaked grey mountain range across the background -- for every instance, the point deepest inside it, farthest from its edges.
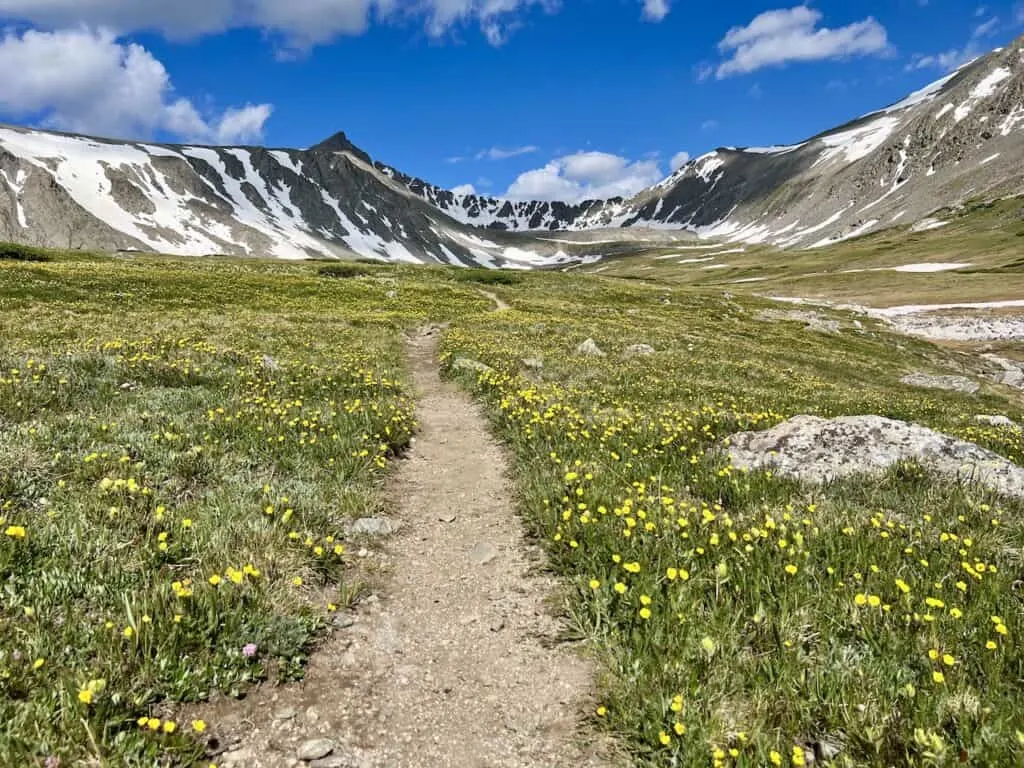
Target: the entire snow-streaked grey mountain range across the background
(962, 137)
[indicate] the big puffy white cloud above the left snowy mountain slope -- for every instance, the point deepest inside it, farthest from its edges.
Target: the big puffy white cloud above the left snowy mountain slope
(89, 82)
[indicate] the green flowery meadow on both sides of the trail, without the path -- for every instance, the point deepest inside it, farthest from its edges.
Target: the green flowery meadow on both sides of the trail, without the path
(183, 442)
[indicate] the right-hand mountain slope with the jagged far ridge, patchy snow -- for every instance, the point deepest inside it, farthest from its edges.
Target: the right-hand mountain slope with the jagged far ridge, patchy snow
(961, 137)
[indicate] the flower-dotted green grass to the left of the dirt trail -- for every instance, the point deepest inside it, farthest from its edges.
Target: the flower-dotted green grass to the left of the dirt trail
(182, 444)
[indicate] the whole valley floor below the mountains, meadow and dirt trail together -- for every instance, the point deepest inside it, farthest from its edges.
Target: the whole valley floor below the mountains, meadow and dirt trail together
(200, 465)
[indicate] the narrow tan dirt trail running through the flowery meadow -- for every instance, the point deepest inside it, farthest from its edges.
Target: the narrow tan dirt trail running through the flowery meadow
(455, 665)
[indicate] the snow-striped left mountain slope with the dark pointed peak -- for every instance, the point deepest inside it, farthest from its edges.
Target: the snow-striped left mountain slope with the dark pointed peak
(75, 192)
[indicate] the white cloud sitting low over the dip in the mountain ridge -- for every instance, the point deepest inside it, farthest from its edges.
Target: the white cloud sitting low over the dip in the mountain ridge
(585, 176)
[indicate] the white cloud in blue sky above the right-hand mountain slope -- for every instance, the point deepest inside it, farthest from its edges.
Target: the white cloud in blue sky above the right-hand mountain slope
(777, 37)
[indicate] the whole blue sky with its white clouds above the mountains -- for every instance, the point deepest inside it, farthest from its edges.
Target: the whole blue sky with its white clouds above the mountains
(533, 98)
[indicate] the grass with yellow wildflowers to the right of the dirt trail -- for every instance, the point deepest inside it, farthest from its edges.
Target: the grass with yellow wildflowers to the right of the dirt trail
(744, 613)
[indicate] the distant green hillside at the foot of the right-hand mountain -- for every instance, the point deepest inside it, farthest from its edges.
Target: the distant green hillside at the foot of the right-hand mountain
(990, 237)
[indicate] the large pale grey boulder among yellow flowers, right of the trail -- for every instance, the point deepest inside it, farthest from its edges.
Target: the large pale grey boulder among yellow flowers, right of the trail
(817, 450)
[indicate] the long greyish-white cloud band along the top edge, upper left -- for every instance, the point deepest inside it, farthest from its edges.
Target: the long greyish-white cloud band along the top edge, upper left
(298, 24)
